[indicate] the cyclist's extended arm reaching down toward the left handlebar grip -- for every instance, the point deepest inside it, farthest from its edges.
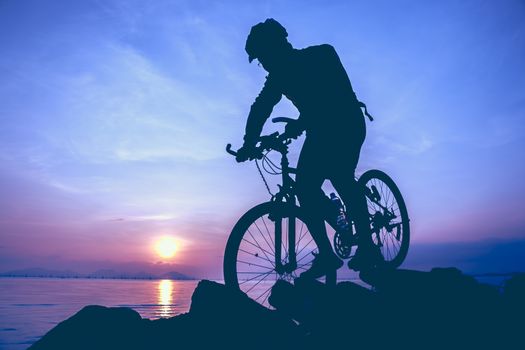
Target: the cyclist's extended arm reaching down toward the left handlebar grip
(260, 111)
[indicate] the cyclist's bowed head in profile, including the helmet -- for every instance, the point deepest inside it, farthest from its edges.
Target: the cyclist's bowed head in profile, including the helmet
(266, 41)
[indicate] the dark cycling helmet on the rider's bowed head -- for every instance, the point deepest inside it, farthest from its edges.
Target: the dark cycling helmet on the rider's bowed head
(263, 36)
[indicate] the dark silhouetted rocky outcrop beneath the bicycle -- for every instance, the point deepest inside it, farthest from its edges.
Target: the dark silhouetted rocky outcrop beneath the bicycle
(404, 309)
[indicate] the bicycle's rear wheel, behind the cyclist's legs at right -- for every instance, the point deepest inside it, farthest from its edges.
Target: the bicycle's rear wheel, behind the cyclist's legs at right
(388, 216)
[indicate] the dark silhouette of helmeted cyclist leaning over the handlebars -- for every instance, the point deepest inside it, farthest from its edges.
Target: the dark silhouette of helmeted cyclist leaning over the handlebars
(316, 82)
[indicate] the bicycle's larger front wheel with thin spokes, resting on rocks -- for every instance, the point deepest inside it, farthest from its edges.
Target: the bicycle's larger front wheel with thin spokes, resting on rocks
(251, 256)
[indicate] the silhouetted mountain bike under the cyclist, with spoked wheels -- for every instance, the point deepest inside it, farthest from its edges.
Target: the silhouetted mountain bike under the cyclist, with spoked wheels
(271, 240)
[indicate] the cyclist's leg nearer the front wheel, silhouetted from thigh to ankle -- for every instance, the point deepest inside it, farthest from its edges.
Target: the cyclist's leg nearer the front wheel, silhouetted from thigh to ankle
(310, 176)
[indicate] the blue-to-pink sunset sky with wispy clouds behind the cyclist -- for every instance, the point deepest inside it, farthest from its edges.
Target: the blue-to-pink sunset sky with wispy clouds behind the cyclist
(114, 116)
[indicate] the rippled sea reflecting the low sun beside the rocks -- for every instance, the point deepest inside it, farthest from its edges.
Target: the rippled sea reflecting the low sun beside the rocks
(30, 307)
